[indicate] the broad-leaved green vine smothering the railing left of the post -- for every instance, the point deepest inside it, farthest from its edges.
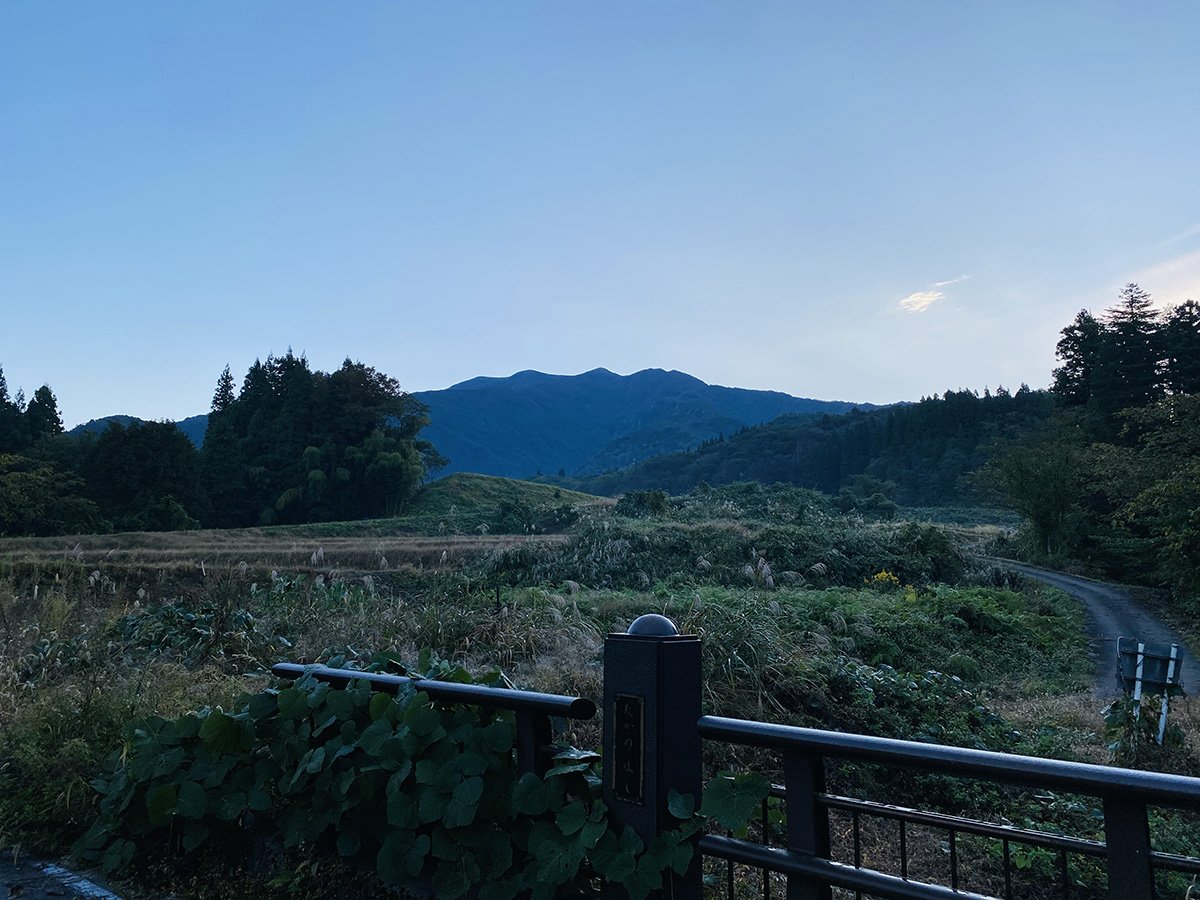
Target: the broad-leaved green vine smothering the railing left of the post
(404, 785)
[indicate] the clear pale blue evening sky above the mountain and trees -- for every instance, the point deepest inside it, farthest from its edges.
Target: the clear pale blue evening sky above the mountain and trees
(869, 202)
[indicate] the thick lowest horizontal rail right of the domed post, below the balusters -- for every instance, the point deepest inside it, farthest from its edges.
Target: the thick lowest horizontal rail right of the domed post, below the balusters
(824, 872)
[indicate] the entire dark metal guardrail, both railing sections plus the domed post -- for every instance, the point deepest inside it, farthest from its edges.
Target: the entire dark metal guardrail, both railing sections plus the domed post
(653, 734)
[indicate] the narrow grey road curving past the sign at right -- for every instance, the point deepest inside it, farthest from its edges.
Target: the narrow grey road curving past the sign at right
(1113, 614)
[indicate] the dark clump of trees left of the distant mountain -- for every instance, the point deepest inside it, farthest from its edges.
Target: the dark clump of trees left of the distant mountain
(292, 446)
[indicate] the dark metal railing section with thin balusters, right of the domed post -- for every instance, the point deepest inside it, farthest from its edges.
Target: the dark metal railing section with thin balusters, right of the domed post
(807, 861)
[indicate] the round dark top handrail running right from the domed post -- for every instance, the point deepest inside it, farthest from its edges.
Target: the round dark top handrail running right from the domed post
(1166, 790)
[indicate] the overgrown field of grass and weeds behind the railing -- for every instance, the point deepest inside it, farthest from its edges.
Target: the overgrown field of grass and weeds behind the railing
(808, 619)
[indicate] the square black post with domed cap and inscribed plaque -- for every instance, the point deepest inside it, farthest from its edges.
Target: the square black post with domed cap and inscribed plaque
(652, 688)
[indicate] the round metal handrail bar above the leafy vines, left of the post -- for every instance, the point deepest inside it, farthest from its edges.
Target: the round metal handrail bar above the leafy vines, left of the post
(472, 694)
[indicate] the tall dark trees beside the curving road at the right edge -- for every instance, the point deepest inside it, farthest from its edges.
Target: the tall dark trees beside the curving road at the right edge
(1114, 477)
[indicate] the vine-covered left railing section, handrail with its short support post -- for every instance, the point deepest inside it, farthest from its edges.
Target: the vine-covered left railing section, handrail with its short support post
(535, 736)
